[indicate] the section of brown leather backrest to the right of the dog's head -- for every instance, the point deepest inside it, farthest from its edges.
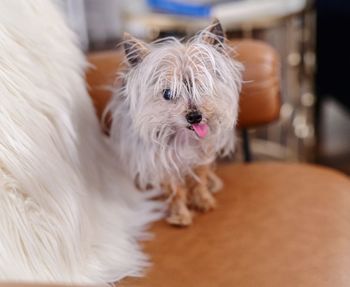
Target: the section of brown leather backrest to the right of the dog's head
(260, 96)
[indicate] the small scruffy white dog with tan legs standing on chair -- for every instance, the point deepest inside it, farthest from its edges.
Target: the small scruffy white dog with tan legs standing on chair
(175, 110)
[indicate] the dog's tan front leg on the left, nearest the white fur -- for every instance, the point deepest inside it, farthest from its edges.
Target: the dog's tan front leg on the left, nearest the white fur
(179, 214)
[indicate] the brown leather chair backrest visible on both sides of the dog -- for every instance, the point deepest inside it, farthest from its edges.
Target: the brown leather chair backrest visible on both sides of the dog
(260, 97)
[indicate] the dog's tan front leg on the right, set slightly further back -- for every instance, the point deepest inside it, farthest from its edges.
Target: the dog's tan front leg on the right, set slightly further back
(201, 197)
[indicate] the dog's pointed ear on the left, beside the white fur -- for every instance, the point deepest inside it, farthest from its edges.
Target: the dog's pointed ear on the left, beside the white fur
(135, 49)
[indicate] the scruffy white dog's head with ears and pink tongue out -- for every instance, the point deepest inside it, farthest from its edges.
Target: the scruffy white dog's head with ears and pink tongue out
(182, 92)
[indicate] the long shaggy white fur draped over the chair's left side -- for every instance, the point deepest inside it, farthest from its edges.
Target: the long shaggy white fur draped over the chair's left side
(67, 214)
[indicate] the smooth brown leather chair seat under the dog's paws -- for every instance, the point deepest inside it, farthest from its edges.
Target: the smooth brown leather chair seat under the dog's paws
(276, 225)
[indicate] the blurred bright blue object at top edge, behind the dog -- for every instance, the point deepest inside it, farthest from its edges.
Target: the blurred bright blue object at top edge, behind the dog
(180, 8)
